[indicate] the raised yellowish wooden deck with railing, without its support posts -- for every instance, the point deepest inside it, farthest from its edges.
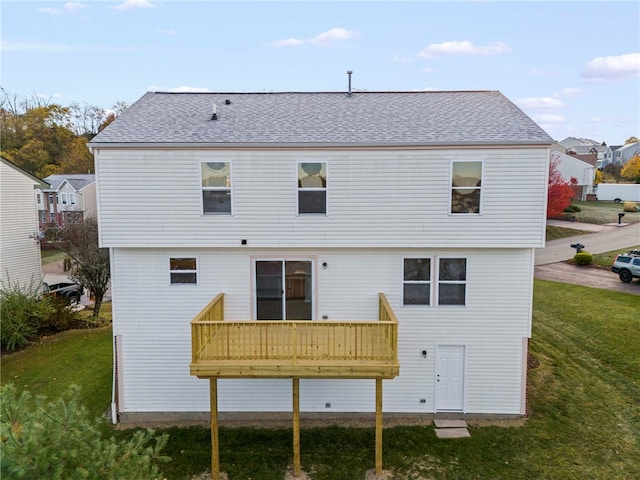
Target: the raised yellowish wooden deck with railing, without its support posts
(293, 349)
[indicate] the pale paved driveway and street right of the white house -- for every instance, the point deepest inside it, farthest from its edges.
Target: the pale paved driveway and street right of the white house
(550, 261)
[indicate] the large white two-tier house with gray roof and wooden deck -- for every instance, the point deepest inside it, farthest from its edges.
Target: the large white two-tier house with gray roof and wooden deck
(273, 221)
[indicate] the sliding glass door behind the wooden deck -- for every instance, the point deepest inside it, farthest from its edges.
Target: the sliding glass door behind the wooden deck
(284, 290)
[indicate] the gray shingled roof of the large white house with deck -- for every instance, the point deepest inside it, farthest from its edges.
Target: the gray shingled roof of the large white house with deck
(364, 118)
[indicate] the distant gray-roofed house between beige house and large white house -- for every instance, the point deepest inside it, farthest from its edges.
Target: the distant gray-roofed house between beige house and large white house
(70, 199)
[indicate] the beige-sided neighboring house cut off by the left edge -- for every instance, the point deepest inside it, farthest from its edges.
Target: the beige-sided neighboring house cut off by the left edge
(19, 249)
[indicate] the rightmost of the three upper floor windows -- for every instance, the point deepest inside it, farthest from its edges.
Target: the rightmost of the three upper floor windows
(466, 187)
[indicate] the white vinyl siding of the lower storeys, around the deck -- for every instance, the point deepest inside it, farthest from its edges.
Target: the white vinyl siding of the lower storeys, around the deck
(153, 320)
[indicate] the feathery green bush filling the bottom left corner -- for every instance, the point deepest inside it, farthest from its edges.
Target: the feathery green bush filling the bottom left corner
(59, 440)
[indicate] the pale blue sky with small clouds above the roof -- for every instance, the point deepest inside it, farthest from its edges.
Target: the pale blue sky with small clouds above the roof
(574, 67)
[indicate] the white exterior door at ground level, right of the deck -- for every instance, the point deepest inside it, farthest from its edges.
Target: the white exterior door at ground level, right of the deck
(449, 377)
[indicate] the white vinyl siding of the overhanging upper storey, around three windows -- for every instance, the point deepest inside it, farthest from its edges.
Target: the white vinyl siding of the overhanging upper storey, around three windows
(378, 198)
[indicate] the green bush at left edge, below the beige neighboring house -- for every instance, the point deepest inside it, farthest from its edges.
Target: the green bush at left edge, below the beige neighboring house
(21, 310)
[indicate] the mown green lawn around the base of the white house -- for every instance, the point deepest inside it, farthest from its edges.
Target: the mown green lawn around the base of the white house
(583, 399)
